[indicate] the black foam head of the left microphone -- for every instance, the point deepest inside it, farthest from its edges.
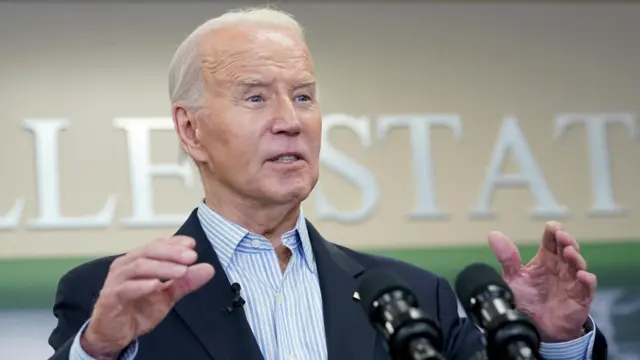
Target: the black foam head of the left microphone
(376, 282)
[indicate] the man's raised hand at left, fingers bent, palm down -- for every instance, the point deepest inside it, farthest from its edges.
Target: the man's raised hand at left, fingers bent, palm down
(140, 289)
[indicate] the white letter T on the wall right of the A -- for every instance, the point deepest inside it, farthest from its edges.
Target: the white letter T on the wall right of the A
(596, 128)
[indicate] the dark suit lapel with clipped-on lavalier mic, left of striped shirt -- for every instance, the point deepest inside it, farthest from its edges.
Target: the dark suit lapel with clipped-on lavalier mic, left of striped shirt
(225, 336)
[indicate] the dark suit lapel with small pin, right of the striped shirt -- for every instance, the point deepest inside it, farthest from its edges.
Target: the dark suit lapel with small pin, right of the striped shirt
(348, 331)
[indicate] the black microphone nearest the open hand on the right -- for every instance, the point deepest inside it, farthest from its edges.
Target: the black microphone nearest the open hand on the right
(490, 304)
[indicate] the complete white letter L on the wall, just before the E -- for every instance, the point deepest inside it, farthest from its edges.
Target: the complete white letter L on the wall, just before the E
(46, 133)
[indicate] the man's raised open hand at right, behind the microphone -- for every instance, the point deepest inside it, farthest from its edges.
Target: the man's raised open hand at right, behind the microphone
(554, 288)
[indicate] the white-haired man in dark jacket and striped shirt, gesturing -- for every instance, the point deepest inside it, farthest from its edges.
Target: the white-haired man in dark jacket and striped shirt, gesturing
(245, 107)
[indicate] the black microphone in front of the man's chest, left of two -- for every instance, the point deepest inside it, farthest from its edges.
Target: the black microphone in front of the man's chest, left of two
(410, 334)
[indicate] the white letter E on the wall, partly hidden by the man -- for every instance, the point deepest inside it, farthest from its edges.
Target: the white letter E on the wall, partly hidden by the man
(142, 171)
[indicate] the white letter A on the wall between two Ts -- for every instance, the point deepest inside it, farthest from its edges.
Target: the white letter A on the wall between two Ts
(512, 141)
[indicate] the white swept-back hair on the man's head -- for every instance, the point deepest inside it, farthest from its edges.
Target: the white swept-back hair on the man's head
(186, 82)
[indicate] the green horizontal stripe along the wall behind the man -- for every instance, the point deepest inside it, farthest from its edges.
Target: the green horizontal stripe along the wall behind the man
(31, 283)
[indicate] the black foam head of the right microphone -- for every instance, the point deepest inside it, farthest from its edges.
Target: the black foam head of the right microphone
(475, 279)
